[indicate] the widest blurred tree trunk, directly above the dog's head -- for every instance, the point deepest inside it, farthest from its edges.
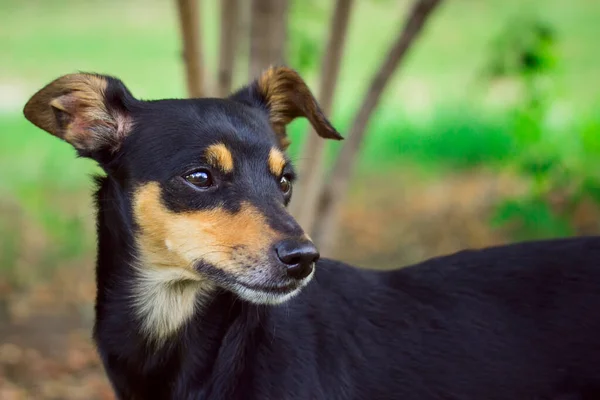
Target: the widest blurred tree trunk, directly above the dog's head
(267, 34)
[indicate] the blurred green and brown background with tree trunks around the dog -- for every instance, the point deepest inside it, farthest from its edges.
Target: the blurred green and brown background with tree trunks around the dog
(475, 122)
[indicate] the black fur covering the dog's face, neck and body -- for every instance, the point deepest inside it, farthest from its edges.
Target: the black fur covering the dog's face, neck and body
(505, 323)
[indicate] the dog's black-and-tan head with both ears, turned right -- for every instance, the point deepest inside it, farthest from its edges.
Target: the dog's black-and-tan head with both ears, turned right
(207, 180)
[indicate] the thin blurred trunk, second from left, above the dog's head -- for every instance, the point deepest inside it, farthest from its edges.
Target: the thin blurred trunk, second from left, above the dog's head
(227, 46)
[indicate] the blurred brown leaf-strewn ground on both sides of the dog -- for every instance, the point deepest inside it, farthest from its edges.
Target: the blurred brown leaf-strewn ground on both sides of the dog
(45, 351)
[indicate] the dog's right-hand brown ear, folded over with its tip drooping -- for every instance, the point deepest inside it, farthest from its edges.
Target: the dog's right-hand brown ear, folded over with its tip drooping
(285, 96)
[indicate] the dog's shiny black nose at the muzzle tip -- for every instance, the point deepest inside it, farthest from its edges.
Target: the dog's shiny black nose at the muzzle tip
(298, 256)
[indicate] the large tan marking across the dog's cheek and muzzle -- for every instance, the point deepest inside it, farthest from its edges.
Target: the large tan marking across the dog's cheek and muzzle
(225, 240)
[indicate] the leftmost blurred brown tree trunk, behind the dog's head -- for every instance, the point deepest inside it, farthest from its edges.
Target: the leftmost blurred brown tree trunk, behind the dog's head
(189, 21)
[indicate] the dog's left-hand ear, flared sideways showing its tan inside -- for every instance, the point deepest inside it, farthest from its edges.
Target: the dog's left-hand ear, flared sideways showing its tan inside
(91, 112)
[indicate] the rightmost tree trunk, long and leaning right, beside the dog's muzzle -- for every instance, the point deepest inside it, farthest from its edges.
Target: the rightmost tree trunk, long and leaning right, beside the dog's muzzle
(334, 194)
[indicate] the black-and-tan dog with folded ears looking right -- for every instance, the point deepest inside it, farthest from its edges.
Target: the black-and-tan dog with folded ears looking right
(209, 289)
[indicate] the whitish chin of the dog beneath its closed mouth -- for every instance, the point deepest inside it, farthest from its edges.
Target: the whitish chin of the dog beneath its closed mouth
(269, 295)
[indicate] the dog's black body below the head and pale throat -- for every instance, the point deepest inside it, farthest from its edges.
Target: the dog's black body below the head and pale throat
(517, 322)
